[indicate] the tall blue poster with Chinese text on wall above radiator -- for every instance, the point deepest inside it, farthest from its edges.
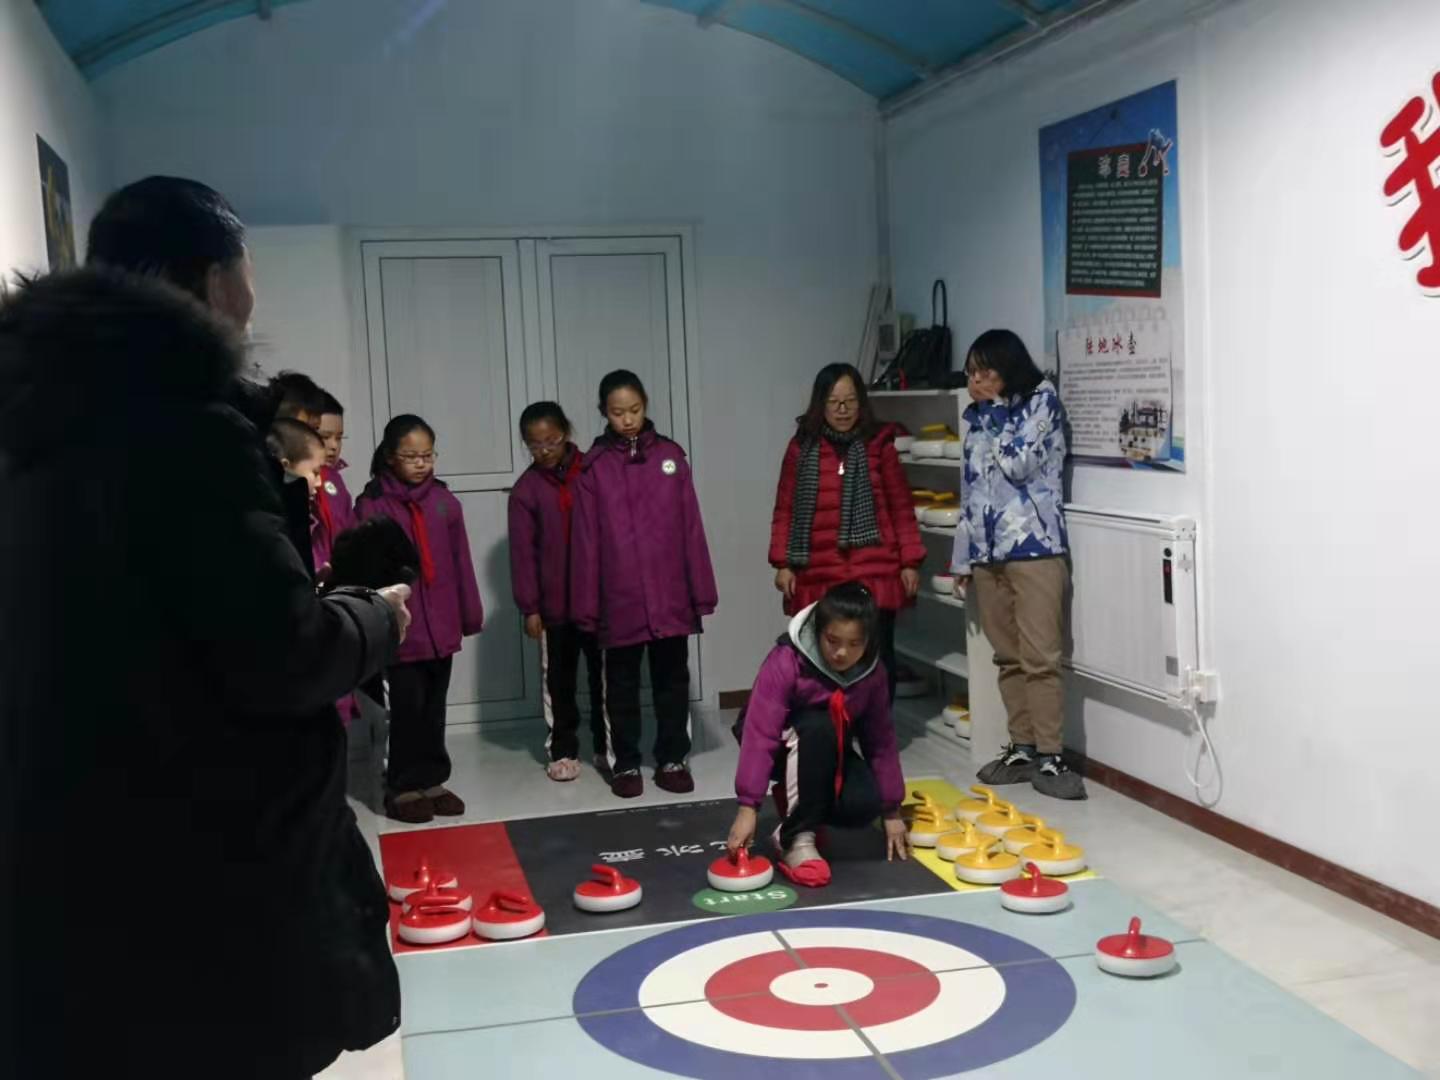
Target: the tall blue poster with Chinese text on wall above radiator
(1114, 280)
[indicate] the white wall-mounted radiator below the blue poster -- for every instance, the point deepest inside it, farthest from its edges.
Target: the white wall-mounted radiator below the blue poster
(1134, 611)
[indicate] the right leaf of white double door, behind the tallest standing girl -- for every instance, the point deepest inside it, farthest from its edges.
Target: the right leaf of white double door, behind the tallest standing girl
(611, 303)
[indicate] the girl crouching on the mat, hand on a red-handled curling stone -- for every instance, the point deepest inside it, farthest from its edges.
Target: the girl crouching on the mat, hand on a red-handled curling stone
(822, 688)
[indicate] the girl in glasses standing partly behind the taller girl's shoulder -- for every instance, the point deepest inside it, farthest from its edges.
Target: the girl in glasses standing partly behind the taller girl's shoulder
(541, 512)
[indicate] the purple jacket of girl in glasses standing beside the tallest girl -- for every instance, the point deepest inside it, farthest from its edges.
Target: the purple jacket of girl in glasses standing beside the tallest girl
(539, 539)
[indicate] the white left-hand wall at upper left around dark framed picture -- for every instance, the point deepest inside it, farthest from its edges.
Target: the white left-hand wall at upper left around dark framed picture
(41, 94)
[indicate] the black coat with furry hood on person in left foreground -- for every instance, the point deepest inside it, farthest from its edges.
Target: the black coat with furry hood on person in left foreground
(184, 889)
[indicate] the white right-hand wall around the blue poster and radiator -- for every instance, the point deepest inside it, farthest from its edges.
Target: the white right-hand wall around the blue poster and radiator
(1313, 388)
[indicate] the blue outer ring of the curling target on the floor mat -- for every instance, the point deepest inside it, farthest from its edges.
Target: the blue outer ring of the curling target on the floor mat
(1040, 997)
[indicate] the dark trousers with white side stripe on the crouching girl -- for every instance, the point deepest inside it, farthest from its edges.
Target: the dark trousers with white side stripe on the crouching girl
(806, 775)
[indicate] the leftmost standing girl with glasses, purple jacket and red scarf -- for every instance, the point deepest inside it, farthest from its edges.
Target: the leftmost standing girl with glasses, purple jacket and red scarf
(446, 608)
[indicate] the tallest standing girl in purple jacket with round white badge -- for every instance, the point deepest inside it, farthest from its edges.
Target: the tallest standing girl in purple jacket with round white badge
(640, 581)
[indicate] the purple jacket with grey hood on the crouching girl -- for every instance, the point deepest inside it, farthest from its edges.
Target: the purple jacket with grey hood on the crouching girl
(793, 679)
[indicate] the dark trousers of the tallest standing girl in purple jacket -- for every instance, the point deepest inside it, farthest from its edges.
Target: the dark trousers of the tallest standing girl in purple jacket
(670, 686)
